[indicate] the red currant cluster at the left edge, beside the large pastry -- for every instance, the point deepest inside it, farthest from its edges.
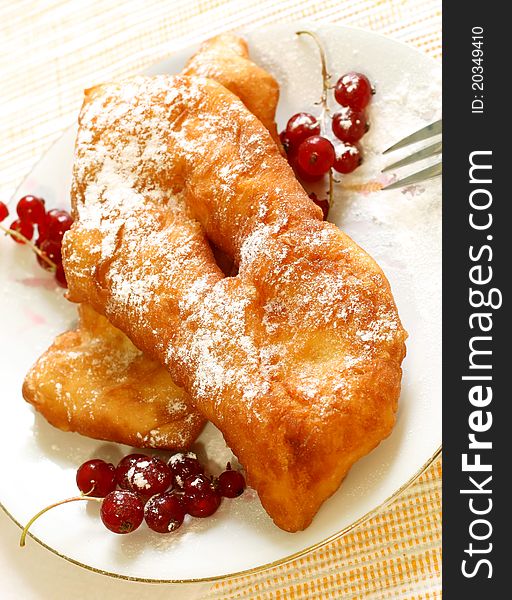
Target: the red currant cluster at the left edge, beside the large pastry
(51, 226)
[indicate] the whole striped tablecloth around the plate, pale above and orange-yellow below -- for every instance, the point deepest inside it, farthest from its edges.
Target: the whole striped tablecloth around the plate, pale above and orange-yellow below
(50, 50)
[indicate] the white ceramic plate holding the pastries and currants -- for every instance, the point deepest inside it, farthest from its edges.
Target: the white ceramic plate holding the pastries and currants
(401, 229)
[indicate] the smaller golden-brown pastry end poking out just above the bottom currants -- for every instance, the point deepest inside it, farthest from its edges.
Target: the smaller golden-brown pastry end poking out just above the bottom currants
(93, 380)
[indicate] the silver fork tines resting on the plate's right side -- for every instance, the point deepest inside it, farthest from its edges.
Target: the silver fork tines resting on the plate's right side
(434, 129)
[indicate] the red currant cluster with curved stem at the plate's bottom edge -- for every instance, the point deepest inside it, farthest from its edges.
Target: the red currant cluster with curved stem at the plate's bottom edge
(145, 488)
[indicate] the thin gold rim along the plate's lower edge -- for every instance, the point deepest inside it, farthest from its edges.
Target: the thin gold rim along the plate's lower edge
(254, 570)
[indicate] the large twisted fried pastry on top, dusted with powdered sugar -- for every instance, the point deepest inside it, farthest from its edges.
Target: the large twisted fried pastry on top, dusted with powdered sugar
(297, 359)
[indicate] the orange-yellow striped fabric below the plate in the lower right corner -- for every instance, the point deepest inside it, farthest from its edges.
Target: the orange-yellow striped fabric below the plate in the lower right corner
(396, 554)
